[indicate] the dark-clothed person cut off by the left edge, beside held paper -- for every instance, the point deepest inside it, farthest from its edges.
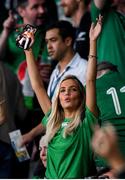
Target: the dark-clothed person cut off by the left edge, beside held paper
(14, 112)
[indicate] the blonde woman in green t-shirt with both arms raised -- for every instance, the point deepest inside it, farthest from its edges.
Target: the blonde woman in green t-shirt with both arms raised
(70, 120)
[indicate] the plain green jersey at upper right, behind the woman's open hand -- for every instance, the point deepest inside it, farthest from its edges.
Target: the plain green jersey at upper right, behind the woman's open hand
(111, 42)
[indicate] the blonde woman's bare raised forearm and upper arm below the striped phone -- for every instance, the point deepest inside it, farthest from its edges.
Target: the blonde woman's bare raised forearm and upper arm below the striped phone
(37, 83)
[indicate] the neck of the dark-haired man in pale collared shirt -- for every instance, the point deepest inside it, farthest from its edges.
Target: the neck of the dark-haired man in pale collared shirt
(65, 61)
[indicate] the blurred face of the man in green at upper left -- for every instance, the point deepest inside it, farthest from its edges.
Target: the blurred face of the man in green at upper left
(34, 13)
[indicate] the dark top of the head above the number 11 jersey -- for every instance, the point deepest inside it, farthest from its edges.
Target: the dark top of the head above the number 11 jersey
(106, 65)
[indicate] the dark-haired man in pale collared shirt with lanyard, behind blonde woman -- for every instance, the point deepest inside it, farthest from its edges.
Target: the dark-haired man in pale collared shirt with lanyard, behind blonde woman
(59, 38)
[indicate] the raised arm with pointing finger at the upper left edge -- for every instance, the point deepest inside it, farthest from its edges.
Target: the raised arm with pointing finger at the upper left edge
(8, 25)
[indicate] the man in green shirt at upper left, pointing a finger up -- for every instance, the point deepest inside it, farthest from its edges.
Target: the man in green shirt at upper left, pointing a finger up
(33, 12)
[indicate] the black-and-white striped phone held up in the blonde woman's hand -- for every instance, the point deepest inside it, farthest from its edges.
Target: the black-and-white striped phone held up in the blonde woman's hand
(24, 40)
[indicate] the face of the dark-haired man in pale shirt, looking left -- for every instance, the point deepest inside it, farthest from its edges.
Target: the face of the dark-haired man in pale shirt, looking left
(56, 46)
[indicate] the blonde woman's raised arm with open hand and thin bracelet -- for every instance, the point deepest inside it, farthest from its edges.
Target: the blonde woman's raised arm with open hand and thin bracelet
(91, 69)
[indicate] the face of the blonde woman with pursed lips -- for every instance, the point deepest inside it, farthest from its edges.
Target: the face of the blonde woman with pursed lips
(69, 95)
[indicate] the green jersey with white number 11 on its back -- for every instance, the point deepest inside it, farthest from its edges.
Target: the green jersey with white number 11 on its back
(110, 100)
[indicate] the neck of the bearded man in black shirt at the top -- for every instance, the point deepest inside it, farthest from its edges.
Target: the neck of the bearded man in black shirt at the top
(77, 16)
